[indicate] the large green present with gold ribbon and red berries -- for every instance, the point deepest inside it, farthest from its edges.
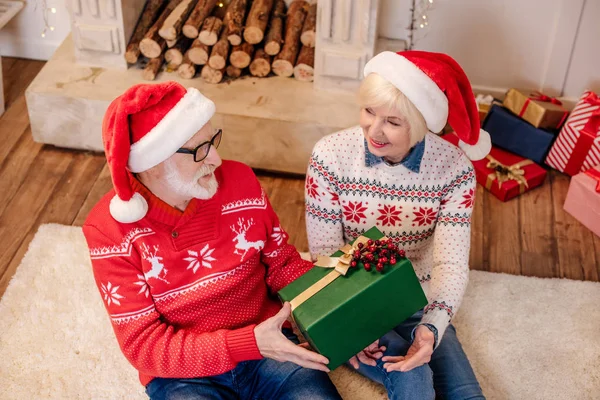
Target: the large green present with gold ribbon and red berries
(341, 309)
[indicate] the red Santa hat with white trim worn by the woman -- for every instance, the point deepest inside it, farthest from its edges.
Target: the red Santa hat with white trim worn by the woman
(440, 90)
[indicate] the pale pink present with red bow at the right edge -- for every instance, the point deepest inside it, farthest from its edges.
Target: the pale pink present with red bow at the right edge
(583, 199)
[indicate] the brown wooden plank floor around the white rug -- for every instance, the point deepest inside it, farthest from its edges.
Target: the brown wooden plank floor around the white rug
(531, 235)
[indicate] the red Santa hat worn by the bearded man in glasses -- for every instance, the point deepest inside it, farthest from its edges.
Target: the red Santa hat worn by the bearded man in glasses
(142, 128)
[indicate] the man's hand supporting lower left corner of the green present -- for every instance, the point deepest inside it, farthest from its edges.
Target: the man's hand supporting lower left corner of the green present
(273, 344)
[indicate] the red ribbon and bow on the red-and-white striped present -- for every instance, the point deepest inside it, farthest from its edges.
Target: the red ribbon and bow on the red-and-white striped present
(587, 136)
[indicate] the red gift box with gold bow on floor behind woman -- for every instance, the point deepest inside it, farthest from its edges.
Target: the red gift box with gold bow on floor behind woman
(504, 174)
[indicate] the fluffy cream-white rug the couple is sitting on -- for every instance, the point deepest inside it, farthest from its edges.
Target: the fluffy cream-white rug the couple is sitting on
(527, 338)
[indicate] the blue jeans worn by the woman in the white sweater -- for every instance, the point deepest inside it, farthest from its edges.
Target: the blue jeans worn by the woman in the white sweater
(447, 376)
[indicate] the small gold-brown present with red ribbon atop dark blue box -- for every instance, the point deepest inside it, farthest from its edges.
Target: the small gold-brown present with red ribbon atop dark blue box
(536, 108)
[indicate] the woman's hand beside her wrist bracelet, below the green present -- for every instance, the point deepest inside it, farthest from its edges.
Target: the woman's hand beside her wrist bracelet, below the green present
(418, 354)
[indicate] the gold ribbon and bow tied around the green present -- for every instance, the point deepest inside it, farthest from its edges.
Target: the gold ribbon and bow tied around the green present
(340, 266)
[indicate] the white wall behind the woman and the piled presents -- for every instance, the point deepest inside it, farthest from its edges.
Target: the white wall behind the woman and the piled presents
(510, 43)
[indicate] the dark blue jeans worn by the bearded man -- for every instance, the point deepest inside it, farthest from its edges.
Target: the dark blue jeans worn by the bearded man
(253, 380)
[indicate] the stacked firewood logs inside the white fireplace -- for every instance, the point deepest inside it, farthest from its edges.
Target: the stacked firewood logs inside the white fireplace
(232, 38)
